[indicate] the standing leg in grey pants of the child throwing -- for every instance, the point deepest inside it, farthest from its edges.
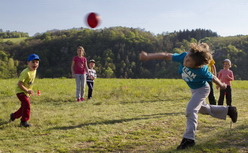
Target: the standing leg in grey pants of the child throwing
(198, 97)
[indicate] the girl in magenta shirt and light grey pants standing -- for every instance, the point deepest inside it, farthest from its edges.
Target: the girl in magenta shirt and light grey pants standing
(79, 69)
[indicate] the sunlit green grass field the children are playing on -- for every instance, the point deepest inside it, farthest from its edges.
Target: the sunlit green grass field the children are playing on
(125, 115)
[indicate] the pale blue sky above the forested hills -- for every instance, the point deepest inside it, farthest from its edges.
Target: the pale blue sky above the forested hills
(226, 17)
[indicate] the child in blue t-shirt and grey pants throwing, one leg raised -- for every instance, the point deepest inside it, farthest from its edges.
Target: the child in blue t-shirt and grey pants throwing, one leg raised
(194, 71)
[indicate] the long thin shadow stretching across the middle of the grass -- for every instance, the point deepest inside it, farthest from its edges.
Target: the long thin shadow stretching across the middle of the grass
(118, 121)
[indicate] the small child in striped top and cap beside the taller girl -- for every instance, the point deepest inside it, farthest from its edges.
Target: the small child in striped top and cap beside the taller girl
(91, 76)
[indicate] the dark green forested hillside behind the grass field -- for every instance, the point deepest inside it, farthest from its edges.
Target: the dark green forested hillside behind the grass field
(116, 51)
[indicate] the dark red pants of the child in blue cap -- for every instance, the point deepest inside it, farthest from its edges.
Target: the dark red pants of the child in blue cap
(24, 110)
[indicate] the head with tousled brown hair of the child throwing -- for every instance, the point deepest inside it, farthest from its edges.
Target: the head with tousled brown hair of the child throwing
(200, 53)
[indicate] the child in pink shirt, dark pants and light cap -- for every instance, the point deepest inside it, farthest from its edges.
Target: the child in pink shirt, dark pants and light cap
(226, 76)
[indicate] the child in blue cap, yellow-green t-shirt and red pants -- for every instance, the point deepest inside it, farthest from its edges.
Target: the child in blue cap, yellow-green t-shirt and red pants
(24, 90)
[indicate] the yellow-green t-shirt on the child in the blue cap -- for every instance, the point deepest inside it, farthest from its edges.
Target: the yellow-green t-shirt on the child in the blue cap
(27, 77)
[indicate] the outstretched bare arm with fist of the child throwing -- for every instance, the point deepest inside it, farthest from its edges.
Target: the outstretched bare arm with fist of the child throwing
(149, 56)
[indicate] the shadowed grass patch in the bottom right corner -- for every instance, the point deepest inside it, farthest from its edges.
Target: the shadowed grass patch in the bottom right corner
(228, 140)
